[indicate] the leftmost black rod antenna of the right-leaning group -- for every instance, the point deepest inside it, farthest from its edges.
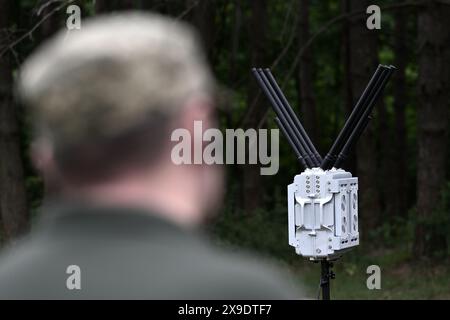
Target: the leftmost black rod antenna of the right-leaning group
(331, 156)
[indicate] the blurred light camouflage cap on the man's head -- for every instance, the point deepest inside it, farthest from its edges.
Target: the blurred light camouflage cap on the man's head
(114, 73)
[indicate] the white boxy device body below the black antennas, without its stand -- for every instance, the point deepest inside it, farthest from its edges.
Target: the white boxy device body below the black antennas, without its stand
(323, 213)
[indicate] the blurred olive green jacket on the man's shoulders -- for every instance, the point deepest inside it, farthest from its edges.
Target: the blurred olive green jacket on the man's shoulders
(89, 252)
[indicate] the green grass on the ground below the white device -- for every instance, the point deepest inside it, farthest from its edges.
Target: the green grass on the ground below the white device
(404, 280)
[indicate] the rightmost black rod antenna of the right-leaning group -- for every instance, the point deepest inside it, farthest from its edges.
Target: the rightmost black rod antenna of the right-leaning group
(364, 120)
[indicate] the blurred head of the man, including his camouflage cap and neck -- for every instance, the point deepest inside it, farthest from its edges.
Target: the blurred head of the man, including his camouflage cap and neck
(105, 101)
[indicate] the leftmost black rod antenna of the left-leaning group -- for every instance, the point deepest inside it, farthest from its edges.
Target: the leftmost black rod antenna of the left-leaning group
(286, 126)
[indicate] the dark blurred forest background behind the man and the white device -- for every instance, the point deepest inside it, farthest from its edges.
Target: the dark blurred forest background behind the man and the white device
(323, 55)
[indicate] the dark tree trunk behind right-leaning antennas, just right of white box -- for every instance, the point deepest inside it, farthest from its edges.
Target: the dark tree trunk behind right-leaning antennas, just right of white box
(364, 59)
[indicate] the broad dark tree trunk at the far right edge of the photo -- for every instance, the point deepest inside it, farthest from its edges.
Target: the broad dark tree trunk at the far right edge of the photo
(432, 121)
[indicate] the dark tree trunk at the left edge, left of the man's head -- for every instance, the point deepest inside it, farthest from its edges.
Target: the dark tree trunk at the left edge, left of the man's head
(13, 200)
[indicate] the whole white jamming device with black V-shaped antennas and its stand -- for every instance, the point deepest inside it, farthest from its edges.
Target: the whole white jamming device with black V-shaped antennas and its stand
(323, 200)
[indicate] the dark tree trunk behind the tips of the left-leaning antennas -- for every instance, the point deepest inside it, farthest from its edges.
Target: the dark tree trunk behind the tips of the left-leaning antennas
(252, 186)
